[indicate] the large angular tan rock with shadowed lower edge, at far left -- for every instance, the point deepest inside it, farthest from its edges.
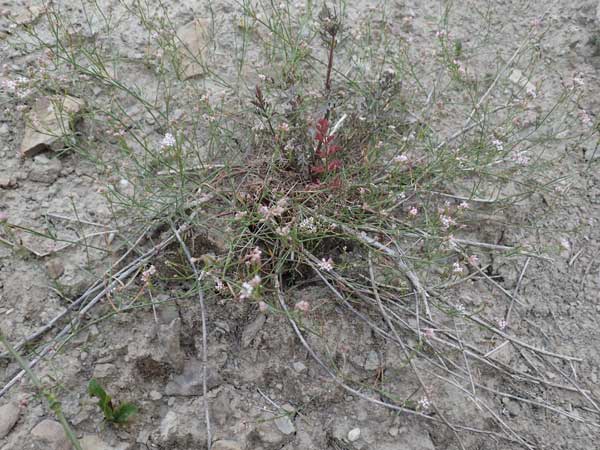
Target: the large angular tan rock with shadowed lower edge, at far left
(51, 119)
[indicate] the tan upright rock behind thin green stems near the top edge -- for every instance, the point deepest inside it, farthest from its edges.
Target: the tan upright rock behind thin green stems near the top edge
(194, 37)
